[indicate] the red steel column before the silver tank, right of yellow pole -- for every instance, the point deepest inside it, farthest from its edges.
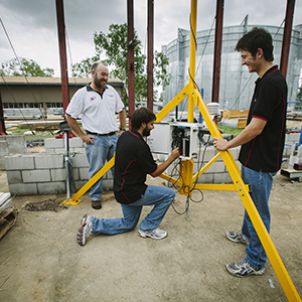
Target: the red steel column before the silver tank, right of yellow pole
(217, 51)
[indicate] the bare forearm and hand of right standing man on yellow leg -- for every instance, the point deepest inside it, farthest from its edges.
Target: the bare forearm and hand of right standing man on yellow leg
(253, 129)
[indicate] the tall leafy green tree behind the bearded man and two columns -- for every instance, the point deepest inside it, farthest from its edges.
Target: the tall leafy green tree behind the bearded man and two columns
(114, 47)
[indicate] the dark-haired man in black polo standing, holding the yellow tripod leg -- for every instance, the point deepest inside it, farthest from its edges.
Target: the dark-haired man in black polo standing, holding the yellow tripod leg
(262, 144)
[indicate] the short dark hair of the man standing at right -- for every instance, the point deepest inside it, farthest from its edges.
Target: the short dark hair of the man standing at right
(257, 38)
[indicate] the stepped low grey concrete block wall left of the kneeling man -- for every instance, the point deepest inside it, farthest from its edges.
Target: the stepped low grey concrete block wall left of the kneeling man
(45, 173)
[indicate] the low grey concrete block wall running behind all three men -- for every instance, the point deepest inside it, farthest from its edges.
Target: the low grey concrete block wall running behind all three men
(43, 173)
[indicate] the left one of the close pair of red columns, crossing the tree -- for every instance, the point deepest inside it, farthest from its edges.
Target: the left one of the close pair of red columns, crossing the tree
(131, 76)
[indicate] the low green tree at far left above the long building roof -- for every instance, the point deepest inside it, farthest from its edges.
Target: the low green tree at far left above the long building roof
(24, 67)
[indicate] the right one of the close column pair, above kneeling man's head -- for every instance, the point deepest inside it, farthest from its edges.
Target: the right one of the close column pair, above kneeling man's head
(150, 54)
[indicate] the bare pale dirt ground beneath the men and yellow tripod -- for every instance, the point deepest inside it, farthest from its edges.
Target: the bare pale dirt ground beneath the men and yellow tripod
(41, 261)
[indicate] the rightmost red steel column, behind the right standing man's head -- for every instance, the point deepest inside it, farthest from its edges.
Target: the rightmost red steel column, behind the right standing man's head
(287, 36)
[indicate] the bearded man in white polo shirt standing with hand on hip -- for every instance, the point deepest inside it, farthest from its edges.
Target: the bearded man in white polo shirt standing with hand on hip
(97, 105)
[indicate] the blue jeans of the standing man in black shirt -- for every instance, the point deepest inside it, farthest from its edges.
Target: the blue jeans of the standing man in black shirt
(260, 187)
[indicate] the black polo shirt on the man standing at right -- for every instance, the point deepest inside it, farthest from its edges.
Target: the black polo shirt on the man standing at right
(264, 152)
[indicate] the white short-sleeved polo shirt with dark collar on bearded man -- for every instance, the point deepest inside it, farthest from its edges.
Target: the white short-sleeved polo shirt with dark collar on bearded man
(98, 113)
